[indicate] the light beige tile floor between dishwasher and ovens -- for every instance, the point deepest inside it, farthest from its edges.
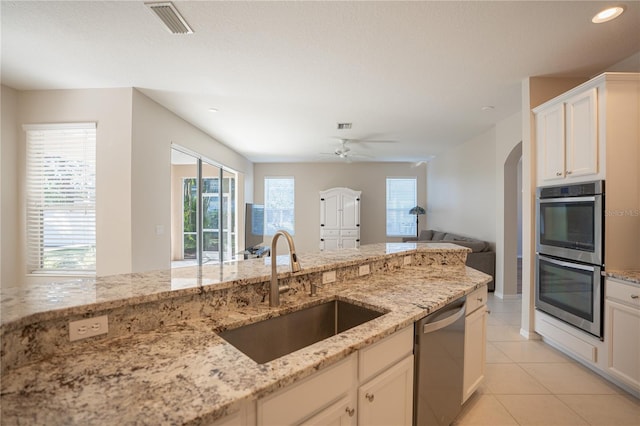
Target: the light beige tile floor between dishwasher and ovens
(530, 383)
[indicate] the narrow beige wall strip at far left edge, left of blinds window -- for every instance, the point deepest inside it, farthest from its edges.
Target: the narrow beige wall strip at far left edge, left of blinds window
(9, 223)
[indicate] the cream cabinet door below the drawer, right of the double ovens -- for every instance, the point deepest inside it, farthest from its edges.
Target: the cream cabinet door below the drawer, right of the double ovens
(623, 334)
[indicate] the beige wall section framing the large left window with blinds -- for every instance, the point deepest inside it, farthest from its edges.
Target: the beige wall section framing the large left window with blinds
(111, 109)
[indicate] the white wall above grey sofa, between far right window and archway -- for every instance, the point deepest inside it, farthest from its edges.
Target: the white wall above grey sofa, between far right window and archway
(461, 189)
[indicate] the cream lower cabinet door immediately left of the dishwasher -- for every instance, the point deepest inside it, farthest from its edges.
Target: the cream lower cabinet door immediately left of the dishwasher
(387, 399)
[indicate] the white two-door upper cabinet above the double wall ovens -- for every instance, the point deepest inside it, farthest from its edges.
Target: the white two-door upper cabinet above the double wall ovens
(574, 133)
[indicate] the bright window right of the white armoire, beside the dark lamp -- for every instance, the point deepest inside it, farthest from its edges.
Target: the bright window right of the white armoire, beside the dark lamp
(401, 197)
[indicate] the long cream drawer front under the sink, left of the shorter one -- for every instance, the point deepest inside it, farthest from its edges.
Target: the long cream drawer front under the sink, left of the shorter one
(297, 402)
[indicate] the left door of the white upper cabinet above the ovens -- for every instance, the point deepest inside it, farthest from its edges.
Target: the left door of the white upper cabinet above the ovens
(550, 134)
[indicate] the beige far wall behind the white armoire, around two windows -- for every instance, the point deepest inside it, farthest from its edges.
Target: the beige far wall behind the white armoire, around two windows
(311, 178)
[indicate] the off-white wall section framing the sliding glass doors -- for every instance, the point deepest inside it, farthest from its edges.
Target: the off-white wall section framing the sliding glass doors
(154, 130)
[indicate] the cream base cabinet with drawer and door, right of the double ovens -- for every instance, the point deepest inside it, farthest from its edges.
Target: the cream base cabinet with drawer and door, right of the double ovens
(622, 333)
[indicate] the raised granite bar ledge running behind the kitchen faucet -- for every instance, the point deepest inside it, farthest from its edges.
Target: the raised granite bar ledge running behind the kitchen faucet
(50, 299)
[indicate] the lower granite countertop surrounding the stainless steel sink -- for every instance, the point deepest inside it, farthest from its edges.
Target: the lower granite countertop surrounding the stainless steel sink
(186, 374)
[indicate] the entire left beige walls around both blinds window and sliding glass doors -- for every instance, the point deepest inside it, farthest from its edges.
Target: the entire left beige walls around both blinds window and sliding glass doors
(134, 137)
